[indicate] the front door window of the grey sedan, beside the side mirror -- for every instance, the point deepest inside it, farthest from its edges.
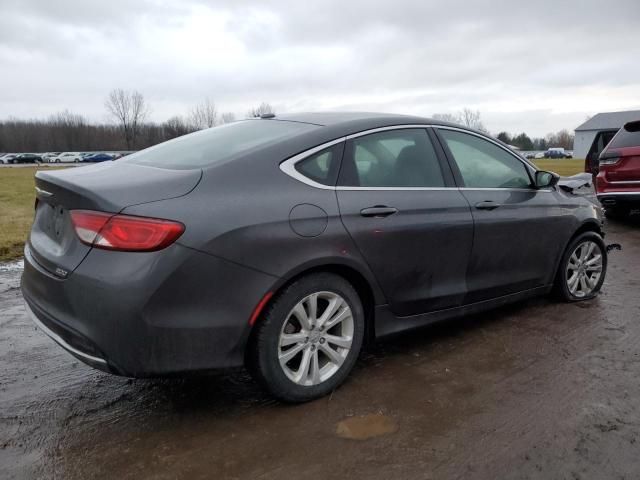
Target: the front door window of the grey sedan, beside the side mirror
(483, 164)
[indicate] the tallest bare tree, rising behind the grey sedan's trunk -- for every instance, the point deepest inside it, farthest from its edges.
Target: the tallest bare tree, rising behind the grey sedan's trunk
(130, 109)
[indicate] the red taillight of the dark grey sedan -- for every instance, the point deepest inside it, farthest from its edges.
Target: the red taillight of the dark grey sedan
(124, 232)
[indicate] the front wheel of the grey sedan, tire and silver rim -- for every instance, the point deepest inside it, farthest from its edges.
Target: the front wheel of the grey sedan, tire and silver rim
(582, 269)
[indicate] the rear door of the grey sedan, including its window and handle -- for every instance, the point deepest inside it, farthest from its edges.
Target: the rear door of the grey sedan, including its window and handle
(399, 203)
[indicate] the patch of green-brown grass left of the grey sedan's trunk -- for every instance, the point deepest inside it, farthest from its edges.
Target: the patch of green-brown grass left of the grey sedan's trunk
(17, 197)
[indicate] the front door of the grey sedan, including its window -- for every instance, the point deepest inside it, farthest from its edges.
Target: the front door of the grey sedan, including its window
(519, 230)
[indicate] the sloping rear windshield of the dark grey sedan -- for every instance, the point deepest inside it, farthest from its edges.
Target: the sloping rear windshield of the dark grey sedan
(215, 145)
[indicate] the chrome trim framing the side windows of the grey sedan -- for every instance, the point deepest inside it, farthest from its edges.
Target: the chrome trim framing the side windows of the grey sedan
(288, 166)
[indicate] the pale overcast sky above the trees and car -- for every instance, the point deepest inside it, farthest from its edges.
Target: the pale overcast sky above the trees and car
(527, 66)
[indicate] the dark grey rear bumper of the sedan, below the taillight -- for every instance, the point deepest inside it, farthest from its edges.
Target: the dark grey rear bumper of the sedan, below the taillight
(149, 314)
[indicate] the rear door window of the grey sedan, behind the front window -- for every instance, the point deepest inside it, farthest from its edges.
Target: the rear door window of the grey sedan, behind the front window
(395, 158)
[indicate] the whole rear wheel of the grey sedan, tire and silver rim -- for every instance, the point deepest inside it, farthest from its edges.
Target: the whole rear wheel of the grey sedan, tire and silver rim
(309, 338)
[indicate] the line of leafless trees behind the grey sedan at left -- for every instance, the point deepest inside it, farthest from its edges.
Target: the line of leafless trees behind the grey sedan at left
(130, 130)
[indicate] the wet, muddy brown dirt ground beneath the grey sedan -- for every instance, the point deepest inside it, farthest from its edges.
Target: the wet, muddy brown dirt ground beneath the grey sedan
(536, 390)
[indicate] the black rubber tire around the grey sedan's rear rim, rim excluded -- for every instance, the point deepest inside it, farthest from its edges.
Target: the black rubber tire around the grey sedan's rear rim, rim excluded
(270, 373)
